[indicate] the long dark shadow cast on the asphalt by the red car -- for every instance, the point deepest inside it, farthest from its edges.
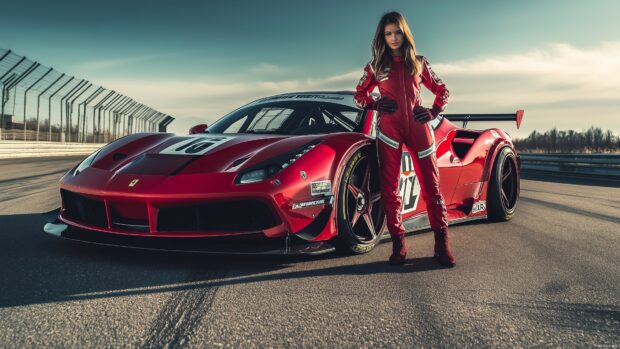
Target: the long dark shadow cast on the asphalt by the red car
(38, 268)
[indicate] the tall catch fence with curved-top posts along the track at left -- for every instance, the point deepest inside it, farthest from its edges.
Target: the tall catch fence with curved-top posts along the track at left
(38, 103)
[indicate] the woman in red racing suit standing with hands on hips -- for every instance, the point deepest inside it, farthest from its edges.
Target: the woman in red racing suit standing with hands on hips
(398, 72)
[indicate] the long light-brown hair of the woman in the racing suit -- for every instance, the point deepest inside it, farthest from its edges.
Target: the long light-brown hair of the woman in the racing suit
(381, 53)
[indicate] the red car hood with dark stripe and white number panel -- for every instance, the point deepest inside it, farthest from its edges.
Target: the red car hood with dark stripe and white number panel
(204, 153)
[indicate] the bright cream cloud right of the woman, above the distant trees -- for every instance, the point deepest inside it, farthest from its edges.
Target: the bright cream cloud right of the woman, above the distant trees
(558, 86)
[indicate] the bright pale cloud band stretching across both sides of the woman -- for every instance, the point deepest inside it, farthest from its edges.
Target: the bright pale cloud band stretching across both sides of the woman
(558, 85)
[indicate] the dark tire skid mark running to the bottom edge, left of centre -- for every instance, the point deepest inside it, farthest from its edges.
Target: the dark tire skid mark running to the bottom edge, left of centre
(182, 313)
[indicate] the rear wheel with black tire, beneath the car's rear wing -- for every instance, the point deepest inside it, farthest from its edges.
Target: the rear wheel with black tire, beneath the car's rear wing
(503, 190)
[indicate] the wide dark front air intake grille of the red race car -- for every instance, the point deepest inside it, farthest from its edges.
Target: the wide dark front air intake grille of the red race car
(177, 218)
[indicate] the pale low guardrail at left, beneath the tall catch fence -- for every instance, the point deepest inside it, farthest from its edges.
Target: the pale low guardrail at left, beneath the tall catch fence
(20, 149)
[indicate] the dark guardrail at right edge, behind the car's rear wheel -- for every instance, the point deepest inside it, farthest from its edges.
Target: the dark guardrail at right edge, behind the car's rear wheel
(600, 165)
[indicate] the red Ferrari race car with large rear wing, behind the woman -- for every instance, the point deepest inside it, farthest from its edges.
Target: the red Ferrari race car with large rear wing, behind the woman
(293, 173)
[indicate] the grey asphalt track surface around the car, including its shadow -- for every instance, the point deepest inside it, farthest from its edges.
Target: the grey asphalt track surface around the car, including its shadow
(548, 278)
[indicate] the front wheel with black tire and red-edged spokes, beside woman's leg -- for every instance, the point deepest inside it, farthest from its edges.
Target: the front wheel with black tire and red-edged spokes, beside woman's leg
(361, 220)
